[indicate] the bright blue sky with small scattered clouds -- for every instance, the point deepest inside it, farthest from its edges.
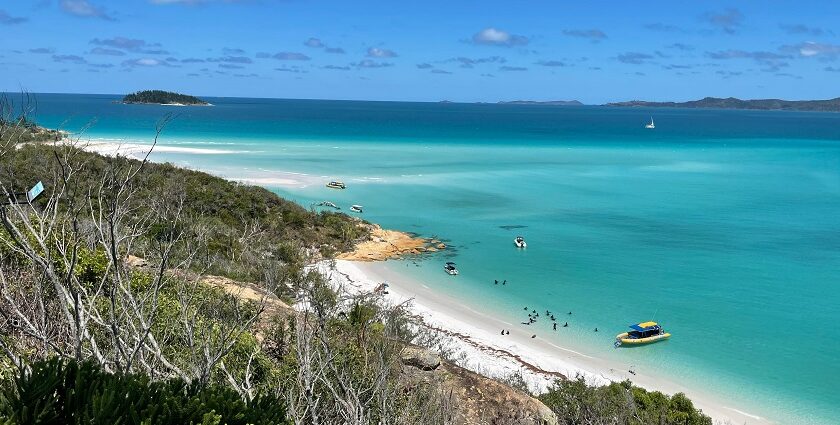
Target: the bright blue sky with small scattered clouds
(458, 50)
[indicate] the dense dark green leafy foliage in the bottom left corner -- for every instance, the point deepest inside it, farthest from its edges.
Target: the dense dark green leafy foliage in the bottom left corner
(66, 392)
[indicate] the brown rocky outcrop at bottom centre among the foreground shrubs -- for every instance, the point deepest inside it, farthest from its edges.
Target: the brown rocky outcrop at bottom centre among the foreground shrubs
(475, 399)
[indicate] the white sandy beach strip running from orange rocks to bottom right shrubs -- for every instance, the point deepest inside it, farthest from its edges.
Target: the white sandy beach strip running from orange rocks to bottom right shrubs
(475, 336)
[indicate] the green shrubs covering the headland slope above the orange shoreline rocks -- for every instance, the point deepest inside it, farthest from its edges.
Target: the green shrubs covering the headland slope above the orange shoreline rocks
(283, 230)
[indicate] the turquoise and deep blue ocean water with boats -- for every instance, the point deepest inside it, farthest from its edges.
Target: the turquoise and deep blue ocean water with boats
(724, 226)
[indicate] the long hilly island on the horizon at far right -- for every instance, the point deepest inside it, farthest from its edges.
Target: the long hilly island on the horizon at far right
(831, 105)
